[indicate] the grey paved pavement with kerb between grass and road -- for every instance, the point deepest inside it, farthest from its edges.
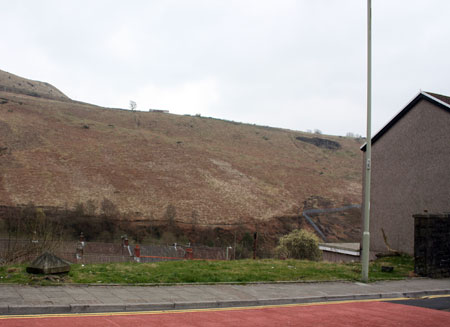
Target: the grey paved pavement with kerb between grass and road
(26, 299)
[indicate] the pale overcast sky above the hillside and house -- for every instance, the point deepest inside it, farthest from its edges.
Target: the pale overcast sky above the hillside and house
(297, 64)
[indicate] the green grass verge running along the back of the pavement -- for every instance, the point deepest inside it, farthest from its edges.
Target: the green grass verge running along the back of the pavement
(267, 270)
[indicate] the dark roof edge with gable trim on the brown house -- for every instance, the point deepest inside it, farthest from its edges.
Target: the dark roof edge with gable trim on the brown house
(441, 101)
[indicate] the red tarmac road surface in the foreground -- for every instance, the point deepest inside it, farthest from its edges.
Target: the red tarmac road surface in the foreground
(330, 315)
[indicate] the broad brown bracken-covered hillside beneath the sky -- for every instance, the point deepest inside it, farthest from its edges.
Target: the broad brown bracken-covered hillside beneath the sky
(58, 152)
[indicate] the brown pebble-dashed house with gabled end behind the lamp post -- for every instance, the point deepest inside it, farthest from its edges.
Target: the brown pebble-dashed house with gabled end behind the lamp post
(410, 171)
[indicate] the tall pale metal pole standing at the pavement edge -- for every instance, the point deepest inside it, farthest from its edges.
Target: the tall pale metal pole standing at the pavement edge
(366, 234)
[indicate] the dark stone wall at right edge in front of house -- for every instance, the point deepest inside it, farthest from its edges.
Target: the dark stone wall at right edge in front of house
(432, 245)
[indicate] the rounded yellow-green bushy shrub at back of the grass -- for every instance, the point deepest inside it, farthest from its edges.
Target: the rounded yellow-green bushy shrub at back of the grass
(299, 244)
